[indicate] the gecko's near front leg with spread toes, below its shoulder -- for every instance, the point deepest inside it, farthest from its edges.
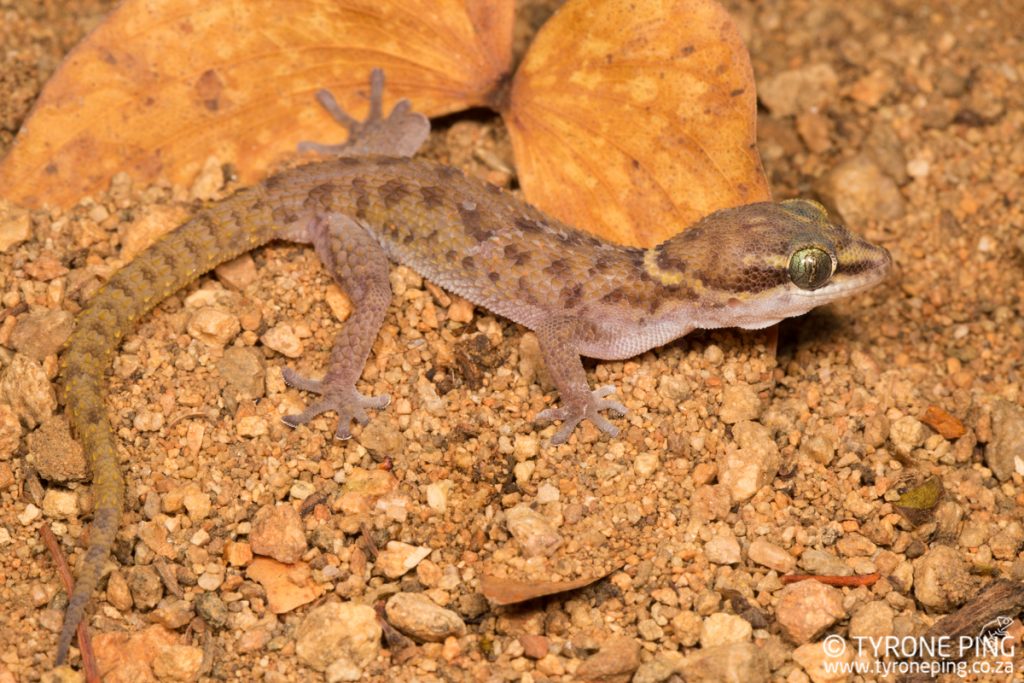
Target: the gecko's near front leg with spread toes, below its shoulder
(560, 341)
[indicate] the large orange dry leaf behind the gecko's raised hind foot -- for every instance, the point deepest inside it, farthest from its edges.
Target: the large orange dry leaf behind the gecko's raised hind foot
(159, 88)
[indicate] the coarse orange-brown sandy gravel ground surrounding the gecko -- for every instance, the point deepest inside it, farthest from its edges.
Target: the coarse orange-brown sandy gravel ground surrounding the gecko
(734, 468)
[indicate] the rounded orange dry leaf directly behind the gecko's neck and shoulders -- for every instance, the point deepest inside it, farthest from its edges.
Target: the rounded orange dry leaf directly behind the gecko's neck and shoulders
(634, 120)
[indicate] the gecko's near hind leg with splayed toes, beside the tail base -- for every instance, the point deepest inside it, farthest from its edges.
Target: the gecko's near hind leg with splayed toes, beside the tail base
(361, 269)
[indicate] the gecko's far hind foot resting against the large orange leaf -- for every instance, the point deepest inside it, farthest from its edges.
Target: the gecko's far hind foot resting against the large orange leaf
(401, 135)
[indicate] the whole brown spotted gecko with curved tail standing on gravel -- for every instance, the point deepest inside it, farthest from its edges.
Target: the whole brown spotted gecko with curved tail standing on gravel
(370, 203)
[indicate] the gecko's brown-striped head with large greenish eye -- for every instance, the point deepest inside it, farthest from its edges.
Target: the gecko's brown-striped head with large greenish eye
(761, 263)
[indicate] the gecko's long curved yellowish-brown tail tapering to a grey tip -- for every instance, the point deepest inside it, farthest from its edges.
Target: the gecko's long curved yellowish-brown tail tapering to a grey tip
(217, 234)
